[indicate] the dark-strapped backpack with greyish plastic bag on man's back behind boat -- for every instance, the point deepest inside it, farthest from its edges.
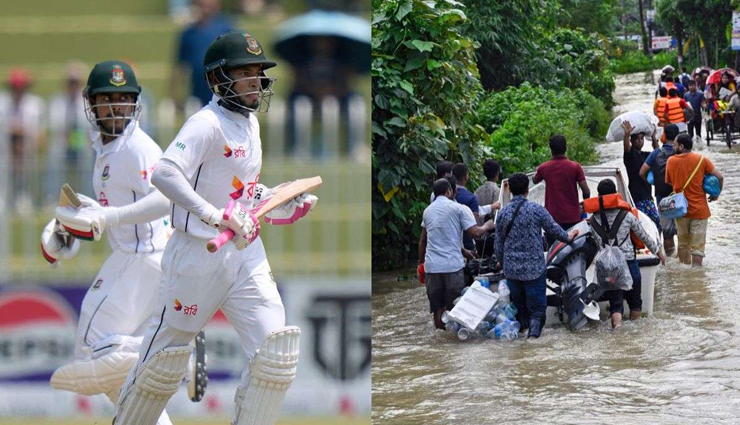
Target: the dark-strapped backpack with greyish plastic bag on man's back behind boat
(612, 271)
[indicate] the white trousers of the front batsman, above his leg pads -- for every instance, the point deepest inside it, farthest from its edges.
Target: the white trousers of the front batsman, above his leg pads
(196, 283)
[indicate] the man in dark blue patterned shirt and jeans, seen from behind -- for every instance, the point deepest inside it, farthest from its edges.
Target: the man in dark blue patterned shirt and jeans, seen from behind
(519, 249)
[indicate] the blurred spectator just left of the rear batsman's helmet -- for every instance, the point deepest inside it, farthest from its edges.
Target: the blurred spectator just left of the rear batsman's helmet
(69, 155)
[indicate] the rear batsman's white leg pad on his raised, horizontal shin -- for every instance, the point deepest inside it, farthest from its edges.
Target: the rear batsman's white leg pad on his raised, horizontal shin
(90, 377)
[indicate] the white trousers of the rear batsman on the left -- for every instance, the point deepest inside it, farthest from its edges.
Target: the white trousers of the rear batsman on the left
(120, 301)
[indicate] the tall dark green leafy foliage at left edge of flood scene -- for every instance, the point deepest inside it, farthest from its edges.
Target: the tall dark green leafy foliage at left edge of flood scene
(425, 85)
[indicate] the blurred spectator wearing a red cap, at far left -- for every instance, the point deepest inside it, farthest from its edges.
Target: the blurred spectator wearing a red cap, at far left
(21, 128)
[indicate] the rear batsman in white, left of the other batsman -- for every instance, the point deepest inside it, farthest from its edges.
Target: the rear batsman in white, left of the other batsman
(119, 305)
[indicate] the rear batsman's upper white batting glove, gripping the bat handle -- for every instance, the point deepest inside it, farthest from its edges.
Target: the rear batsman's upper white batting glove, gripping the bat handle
(90, 221)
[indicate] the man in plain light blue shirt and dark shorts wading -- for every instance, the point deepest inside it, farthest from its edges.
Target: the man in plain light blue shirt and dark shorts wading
(443, 224)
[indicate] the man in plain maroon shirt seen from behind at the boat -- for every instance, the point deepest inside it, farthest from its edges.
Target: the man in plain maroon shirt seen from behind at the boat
(562, 178)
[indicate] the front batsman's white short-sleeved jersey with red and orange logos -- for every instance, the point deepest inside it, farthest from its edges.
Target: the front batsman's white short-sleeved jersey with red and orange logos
(220, 153)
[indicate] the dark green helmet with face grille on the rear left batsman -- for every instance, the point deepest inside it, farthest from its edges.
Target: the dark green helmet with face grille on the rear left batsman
(109, 77)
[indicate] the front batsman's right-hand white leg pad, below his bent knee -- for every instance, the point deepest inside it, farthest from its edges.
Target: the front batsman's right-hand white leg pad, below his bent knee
(271, 372)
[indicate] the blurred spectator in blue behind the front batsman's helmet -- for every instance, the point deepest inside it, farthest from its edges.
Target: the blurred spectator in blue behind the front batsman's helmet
(192, 46)
